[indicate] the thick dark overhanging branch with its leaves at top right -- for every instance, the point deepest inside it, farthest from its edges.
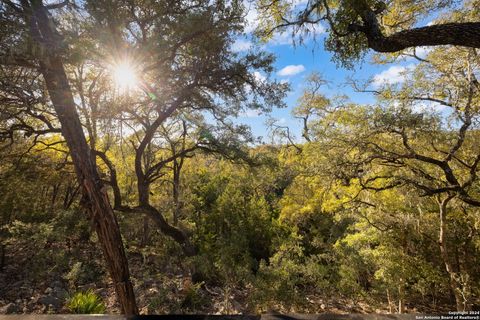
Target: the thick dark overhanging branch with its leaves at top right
(391, 26)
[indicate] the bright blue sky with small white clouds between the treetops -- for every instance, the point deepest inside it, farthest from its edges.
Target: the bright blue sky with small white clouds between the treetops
(295, 62)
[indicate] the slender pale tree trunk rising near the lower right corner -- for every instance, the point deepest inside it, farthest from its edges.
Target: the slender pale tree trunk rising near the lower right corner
(455, 286)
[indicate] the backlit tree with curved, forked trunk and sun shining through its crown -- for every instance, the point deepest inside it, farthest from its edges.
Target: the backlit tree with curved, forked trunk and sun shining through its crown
(192, 69)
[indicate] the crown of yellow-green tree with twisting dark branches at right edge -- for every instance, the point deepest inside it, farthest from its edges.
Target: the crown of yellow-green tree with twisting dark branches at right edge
(455, 87)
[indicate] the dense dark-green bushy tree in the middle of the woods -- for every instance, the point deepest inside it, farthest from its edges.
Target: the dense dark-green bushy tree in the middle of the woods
(234, 224)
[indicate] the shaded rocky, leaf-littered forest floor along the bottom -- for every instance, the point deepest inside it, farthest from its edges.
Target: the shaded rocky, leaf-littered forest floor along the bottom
(32, 282)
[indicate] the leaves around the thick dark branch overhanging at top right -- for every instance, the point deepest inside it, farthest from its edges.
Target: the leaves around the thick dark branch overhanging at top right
(349, 21)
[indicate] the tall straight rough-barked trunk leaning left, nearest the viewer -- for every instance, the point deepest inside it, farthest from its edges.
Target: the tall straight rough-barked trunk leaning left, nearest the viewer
(94, 194)
